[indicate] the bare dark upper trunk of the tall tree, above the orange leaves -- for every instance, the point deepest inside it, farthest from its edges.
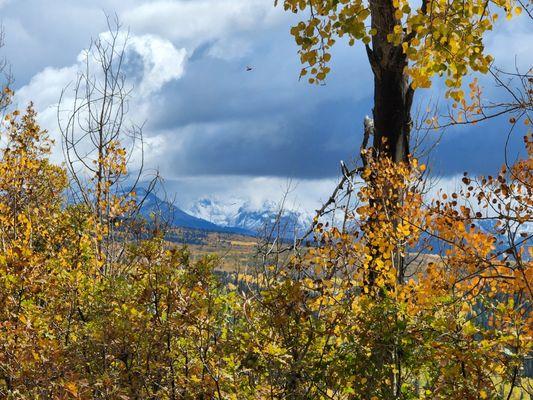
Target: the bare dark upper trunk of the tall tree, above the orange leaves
(393, 95)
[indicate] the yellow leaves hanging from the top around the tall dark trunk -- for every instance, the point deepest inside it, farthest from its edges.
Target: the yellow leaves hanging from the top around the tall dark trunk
(439, 37)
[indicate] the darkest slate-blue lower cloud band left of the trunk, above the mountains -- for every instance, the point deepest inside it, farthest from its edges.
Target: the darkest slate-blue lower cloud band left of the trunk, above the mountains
(303, 145)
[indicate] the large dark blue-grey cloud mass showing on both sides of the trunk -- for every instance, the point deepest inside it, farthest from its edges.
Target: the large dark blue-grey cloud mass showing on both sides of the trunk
(265, 122)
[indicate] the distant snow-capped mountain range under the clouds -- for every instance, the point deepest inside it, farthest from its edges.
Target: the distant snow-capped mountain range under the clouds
(242, 214)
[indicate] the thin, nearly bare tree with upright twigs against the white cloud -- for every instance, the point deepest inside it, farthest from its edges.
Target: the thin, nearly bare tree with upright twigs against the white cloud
(98, 139)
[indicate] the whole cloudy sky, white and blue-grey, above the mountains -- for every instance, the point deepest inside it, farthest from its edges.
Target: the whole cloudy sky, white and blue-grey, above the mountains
(213, 128)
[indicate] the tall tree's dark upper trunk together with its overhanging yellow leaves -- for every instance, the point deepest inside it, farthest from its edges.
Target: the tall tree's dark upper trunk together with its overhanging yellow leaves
(406, 48)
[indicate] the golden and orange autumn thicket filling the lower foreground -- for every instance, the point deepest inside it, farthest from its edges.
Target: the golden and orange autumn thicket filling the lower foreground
(349, 319)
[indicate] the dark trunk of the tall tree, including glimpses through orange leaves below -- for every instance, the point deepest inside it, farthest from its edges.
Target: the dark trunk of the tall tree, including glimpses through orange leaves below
(393, 97)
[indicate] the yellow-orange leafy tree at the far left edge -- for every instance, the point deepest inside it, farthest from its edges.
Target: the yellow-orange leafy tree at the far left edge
(31, 198)
